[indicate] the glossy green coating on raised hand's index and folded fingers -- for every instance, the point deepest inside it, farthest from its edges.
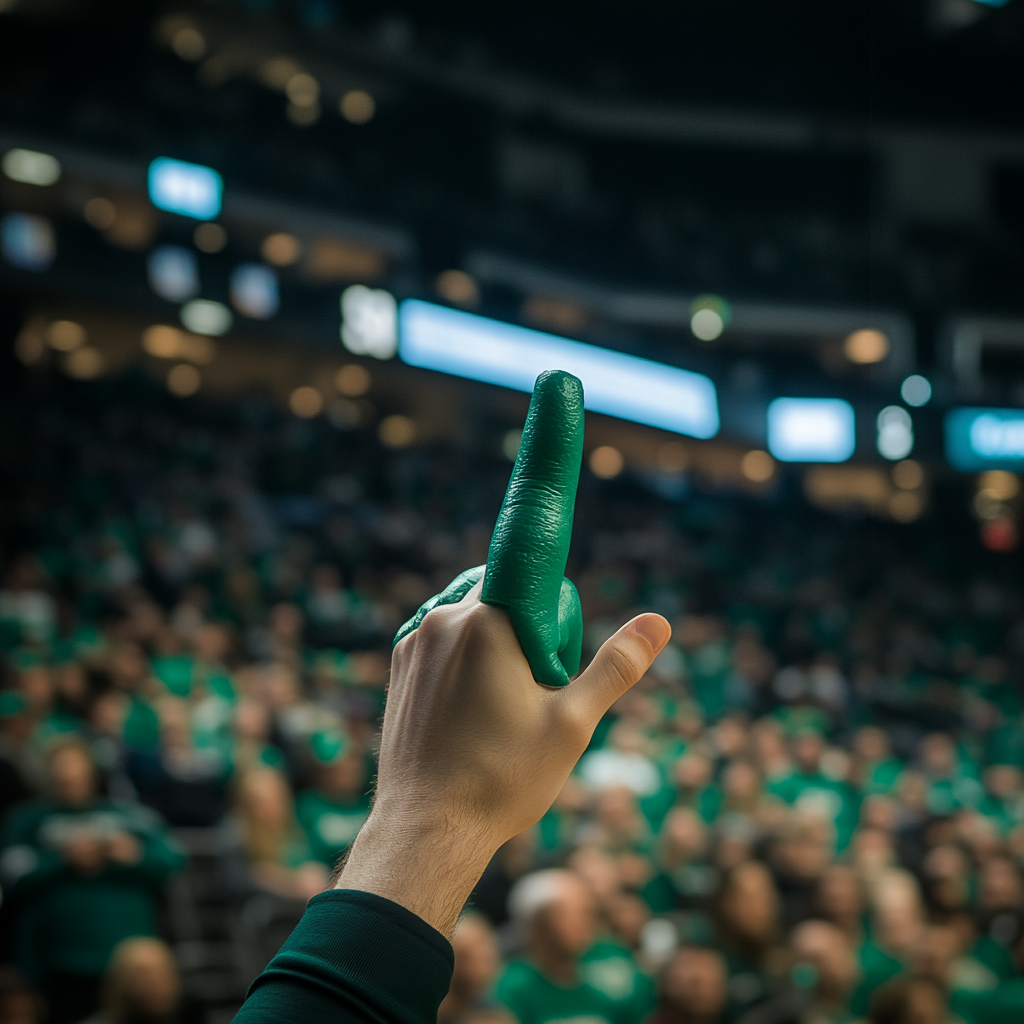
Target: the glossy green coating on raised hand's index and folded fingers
(531, 543)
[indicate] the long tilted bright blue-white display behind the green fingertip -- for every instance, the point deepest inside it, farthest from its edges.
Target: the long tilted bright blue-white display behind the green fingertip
(625, 387)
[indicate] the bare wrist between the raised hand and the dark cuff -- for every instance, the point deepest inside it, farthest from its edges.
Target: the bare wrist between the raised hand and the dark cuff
(425, 863)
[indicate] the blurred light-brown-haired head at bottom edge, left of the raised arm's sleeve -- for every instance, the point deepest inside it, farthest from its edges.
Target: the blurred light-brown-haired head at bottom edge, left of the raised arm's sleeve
(142, 982)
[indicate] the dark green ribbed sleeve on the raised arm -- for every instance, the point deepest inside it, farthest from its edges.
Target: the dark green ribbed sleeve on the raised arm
(354, 959)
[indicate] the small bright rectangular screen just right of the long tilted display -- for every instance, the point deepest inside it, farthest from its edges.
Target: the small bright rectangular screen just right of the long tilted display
(812, 431)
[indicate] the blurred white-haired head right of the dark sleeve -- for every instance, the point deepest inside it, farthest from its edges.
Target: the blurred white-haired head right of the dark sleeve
(557, 912)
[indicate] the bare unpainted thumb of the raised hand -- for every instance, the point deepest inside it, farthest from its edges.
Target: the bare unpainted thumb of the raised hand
(621, 662)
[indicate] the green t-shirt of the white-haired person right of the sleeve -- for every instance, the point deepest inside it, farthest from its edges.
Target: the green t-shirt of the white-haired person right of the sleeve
(536, 1000)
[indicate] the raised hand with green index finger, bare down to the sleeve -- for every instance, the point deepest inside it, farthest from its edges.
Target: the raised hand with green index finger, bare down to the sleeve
(474, 750)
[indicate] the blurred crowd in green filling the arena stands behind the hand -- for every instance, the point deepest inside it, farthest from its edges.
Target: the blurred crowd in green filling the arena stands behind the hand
(812, 809)
